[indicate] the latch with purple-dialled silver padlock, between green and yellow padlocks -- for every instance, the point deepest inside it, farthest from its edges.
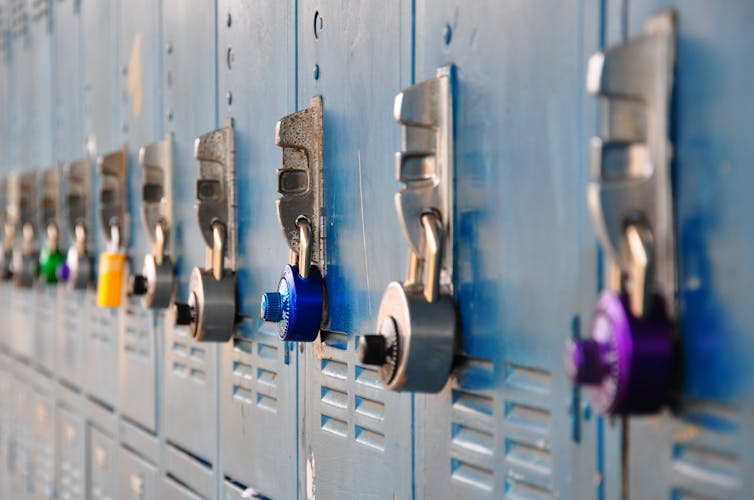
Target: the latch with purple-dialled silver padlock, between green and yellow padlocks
(78, 270)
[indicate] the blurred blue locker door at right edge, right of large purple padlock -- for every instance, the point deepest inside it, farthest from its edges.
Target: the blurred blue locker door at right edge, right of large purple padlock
(705, 448)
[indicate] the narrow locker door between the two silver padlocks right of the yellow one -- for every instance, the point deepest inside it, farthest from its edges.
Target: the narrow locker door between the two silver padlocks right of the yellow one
(189, 85)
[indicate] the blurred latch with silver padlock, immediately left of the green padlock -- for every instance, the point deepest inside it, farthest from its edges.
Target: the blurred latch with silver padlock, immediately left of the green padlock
(22, 211)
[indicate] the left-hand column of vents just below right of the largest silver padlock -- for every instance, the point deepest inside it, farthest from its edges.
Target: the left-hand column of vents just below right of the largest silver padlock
(472, 426)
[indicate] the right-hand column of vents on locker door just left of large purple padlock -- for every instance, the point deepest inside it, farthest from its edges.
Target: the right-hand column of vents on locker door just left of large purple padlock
(527, 429)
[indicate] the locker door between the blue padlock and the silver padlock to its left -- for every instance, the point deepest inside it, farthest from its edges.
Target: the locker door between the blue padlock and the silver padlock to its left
(256, 64)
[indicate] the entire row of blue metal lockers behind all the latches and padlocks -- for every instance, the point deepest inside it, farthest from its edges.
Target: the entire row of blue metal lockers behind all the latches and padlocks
(98, 403)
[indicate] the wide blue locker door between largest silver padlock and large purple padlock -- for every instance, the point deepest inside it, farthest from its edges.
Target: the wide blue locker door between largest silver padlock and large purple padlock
(508, 423)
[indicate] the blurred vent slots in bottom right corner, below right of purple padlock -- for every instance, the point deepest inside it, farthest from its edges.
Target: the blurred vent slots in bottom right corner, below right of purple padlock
(705, 459)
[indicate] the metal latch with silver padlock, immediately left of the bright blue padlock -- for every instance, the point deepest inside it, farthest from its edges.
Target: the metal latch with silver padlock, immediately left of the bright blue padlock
(210, 311)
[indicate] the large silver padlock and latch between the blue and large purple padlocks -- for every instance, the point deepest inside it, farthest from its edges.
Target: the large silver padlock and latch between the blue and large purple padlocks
(417, 321)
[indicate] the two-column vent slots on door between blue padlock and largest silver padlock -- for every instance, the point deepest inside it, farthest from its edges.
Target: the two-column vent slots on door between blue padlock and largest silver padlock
(352, 399)
